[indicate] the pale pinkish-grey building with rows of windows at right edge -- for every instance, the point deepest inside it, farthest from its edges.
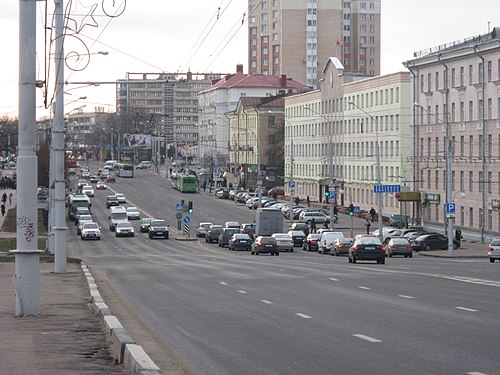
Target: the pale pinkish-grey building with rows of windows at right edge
(457, 113)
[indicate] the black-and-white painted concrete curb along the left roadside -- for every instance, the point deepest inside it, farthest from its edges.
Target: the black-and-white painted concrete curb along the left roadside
(135, 360)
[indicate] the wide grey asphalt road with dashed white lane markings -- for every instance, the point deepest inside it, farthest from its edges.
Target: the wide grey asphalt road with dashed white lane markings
(223, 312)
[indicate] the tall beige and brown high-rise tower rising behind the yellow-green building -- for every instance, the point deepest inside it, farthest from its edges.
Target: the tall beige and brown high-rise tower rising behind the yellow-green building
(294, 37)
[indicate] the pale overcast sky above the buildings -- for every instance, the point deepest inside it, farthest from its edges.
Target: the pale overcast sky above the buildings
(161, 35)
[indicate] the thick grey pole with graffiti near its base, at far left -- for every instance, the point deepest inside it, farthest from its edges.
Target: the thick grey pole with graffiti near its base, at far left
(27, 260)
